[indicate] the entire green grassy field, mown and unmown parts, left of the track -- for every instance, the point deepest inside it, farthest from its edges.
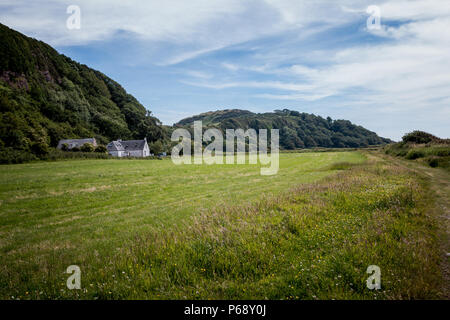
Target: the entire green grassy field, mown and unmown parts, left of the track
(150, 229)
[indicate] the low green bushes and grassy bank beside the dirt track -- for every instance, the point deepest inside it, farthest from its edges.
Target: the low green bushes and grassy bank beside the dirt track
(422, 146)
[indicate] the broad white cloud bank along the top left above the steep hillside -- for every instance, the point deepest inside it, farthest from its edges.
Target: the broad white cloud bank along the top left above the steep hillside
(195, 27)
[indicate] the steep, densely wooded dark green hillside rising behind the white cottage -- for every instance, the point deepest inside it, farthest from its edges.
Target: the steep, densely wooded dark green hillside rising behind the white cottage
(45, 97)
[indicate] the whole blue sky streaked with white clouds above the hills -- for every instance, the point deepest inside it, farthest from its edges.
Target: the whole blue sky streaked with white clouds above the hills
(181, 58)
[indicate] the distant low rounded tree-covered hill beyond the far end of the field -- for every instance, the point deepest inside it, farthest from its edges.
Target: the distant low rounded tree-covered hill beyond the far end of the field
(297, 130)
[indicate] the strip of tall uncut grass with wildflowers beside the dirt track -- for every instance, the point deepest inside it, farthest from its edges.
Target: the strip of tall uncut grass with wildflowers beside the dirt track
(313, 242)
